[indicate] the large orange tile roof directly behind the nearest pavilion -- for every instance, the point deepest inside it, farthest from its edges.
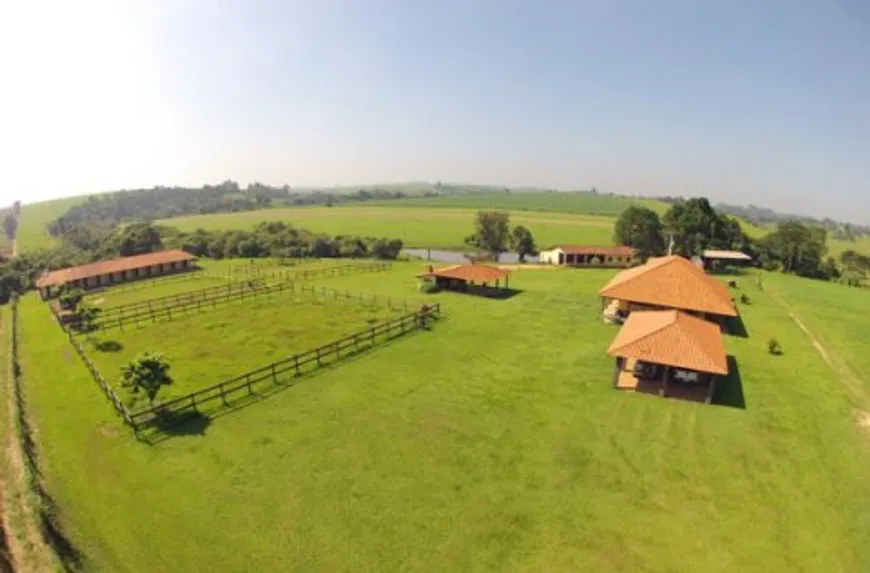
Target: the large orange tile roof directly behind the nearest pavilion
(671, 282)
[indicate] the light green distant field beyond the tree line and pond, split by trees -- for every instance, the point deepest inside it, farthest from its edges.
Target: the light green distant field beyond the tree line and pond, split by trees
(417, 227)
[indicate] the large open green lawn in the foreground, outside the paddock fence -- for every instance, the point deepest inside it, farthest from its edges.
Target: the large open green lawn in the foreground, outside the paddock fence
(493, 442)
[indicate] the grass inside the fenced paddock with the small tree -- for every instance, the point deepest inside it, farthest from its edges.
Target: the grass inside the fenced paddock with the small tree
(210, 346)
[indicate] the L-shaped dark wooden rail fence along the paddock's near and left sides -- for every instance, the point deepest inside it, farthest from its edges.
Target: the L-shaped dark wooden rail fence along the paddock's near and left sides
(246, 384)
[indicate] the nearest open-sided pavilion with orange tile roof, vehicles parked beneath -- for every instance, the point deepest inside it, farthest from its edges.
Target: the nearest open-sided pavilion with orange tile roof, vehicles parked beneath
(670, 353)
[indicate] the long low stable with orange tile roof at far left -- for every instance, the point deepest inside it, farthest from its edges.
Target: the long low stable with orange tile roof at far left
(114, 271)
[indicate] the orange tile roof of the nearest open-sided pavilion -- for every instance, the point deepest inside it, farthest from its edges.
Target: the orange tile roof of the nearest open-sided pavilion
(672, 338)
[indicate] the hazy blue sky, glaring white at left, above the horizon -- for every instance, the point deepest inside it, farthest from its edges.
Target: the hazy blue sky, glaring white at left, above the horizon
(742, 100)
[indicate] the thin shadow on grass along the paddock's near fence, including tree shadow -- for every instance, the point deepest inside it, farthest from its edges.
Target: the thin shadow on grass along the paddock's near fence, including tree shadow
(194, 423)
